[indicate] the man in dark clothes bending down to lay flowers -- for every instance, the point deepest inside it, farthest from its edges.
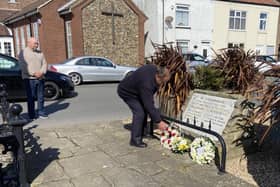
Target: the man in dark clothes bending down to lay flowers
(137, 90)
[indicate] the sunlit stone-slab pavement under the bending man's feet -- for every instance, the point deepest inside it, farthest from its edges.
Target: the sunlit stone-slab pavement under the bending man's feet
(99, 155)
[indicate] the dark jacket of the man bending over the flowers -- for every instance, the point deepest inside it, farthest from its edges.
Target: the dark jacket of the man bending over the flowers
(141, 85)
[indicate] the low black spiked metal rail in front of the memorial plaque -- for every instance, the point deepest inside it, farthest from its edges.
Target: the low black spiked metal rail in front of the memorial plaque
(222, 163)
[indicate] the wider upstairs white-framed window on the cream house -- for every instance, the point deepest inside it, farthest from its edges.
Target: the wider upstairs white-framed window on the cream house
(236, 18)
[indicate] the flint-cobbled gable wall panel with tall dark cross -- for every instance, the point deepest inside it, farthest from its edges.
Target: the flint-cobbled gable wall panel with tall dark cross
(97, 32)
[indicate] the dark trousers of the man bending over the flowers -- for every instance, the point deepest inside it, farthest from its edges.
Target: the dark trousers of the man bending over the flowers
(139, 119)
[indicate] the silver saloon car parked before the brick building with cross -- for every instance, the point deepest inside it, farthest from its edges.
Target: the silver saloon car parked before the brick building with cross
(91, 68)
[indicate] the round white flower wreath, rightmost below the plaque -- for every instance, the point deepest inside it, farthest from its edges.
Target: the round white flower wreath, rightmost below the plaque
(202, 150)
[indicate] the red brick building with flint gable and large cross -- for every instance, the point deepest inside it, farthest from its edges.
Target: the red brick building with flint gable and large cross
(113, 29)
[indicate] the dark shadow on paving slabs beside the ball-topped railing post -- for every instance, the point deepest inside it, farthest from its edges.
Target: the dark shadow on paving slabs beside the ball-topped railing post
(37, 158)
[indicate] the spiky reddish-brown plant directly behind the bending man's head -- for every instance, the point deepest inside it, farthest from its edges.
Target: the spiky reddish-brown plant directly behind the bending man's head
(173, 94)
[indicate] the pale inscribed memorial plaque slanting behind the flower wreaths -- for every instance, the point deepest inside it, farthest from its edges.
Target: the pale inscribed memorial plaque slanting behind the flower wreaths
(204, 108)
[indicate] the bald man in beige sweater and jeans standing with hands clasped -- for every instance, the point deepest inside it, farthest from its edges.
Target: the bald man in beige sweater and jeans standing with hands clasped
(33, 68)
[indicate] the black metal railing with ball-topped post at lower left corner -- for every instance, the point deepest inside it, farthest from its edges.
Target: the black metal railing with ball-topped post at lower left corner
(11, 137)
